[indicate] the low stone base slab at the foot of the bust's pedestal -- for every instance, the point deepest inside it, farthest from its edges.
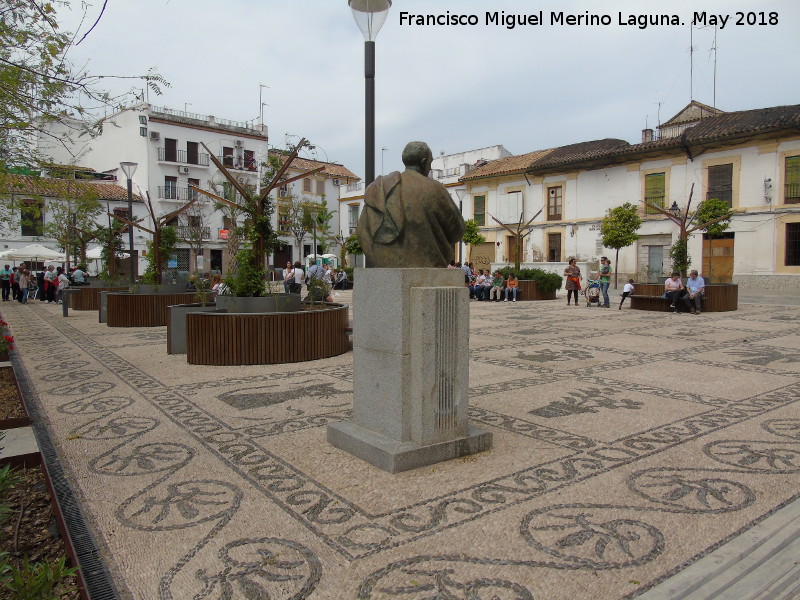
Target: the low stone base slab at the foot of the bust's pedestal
(394, 456)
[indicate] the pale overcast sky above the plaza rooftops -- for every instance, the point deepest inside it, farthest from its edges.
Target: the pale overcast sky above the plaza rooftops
(455, 87)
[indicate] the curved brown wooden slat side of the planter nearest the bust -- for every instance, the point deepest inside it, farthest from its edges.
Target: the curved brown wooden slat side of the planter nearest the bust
(267, 338)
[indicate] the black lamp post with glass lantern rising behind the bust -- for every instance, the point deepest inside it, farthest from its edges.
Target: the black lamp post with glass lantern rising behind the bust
(370, 15)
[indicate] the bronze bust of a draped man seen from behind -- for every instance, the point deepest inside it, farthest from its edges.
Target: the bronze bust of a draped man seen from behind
(409, 220)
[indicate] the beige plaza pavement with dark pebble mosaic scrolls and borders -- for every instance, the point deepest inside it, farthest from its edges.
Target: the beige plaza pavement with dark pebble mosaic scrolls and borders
(626, 445)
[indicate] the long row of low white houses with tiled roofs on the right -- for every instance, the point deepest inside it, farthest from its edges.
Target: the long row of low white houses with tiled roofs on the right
(751, 159)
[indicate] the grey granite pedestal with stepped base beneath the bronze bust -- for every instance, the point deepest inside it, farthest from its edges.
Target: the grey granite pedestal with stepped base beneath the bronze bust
(411, 370)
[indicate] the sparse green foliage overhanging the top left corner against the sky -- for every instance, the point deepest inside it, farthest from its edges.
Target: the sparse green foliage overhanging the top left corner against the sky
(39, 85)
